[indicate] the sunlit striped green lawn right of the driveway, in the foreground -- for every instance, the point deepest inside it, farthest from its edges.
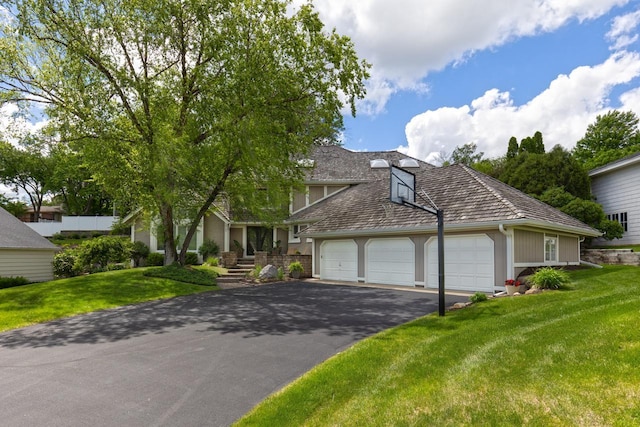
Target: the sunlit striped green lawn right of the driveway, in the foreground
(561, 358)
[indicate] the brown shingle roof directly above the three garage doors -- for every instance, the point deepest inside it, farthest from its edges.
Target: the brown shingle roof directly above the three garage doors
(467, 197)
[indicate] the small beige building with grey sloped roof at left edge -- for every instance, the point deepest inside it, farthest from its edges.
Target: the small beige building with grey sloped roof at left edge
(23, 252)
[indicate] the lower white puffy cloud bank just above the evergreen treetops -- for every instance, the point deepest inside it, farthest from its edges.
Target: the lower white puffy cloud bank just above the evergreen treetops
(561, 112)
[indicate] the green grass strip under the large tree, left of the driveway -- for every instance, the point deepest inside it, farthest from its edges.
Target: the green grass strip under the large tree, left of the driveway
(40, 302)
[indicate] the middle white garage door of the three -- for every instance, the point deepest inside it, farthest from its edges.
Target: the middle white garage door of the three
(390, 261)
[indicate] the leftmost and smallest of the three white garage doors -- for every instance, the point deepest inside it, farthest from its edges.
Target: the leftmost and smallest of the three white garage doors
(339, 260)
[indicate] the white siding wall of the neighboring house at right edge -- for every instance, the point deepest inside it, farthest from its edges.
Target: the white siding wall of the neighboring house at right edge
(619, 191)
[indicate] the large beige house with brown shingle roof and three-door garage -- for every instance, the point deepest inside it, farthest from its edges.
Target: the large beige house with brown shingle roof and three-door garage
(345, 220)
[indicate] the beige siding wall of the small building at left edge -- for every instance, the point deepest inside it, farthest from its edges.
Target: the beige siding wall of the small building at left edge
(34, 265)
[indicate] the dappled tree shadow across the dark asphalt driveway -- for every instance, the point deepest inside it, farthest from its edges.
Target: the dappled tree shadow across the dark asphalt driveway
(277, 309)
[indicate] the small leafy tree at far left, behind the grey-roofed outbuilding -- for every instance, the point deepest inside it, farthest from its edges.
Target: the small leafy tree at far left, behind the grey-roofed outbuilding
(27, 169)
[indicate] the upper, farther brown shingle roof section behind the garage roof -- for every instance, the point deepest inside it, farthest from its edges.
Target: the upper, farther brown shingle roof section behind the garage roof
(336, 164)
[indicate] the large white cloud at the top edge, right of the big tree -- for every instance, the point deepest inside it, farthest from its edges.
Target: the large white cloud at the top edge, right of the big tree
(407, 39)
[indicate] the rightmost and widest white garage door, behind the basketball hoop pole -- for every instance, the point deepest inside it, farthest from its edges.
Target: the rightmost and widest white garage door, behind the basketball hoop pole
(468, 260)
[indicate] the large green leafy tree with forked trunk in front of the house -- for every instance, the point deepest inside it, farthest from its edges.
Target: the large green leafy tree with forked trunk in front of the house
(175, 102)
